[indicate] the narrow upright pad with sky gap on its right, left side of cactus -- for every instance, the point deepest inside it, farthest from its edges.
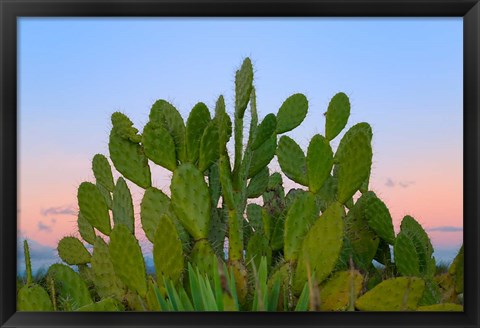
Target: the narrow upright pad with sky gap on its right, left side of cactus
(122, 208)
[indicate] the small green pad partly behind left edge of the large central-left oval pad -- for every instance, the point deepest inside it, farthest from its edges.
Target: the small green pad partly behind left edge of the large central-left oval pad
(154, 204)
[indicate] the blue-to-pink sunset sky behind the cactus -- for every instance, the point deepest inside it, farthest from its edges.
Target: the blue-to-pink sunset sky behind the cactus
(402, 75)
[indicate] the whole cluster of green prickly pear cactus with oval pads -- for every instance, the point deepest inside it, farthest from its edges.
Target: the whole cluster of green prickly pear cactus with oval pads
(316, 247)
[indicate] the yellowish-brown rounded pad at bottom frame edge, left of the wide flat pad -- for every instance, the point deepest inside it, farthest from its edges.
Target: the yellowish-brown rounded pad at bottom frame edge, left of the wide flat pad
(337, 293)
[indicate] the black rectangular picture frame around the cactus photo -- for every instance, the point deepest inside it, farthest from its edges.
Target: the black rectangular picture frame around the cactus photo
(10, 10)
